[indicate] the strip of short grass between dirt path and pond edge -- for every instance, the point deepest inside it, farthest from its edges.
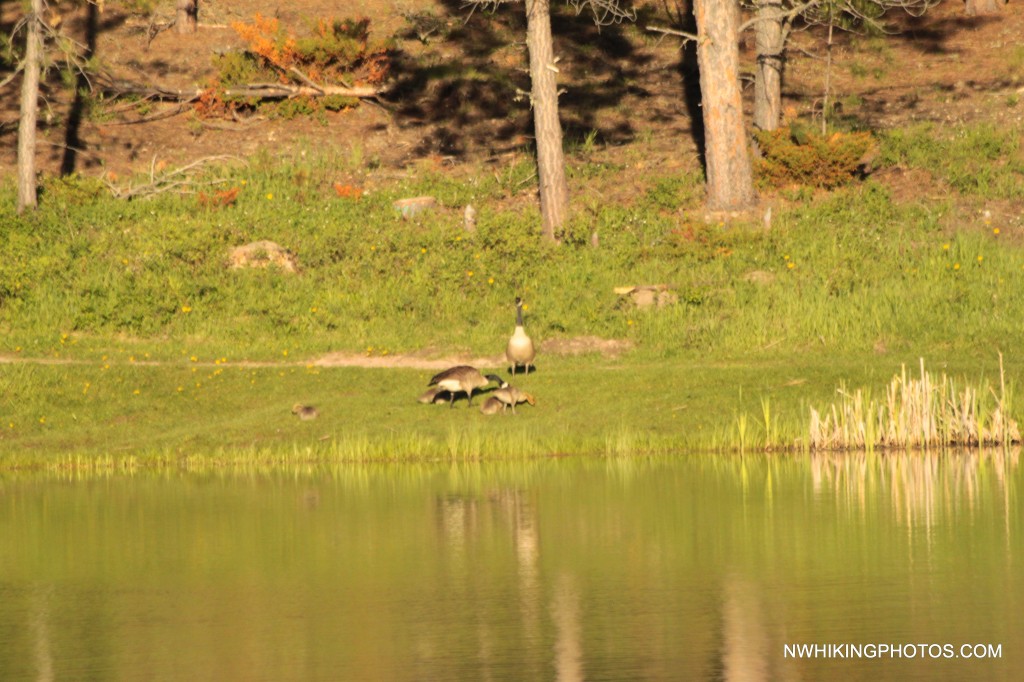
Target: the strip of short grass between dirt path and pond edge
(123, 416)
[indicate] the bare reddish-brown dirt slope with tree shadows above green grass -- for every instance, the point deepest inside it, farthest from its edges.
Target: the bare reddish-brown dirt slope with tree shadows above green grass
(625, 87)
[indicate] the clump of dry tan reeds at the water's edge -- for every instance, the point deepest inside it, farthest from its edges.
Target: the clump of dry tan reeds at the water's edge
(918, 412)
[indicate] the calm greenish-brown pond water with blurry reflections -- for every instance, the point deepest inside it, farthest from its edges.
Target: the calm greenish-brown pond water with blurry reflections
(687, 568)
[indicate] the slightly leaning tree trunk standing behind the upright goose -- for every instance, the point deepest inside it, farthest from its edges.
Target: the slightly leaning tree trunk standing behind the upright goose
(547, 130)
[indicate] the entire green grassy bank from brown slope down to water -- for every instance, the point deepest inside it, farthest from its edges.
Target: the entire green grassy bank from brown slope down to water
(844, 287)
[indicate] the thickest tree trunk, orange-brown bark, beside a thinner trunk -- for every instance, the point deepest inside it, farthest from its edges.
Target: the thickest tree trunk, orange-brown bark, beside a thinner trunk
(731, 180)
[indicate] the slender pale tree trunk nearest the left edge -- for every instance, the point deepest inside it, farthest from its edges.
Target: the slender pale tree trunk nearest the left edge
(30, 110)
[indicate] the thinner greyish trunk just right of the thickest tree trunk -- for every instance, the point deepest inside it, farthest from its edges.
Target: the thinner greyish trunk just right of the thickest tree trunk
(770, 42)
